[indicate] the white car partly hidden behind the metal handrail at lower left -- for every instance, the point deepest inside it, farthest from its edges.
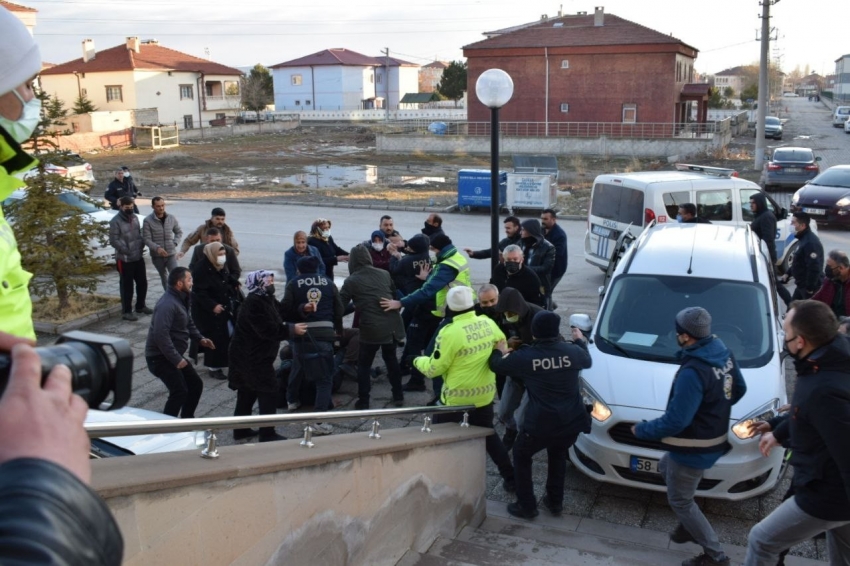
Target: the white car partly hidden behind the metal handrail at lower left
(143, 444)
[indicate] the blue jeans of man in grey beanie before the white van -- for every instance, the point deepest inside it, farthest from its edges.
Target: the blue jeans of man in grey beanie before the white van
(682, 482)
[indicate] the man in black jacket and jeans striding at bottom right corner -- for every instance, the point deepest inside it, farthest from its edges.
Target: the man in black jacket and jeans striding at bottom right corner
(817, 433)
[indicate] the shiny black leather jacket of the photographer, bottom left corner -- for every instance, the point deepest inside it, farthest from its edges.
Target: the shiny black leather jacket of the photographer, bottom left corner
(48, 516)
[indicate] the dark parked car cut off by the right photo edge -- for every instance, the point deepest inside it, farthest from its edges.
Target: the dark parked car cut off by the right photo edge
(826, 197)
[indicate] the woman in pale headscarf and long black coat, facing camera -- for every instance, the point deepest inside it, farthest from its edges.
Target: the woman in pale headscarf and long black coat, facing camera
(215, 299)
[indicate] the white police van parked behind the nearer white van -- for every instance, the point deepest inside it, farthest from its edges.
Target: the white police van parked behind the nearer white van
(630, 201)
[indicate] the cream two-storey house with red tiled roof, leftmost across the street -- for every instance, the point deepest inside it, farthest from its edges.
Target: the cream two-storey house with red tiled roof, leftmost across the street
(139, 74)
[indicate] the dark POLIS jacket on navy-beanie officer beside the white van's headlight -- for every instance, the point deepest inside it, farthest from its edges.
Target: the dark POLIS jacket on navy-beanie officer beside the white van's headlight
(549, 369)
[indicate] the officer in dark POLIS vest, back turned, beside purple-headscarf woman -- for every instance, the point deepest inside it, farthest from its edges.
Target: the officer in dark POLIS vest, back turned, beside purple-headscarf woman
(313, 298)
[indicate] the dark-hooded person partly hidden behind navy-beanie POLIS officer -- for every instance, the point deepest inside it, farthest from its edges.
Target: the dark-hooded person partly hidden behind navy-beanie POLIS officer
(517, 315)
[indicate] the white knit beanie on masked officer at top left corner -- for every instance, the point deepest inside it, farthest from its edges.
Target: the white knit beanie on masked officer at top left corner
(20, 59)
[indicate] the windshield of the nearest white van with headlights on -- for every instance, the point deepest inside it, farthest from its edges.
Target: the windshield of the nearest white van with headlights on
(637, 318)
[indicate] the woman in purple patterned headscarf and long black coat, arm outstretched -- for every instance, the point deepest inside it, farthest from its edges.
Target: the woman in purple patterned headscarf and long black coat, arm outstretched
(253, 350)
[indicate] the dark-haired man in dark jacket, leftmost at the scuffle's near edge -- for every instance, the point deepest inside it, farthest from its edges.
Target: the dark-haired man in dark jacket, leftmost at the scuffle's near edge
(168, 338)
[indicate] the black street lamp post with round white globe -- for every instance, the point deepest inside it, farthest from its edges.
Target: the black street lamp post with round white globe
(494, 89)
